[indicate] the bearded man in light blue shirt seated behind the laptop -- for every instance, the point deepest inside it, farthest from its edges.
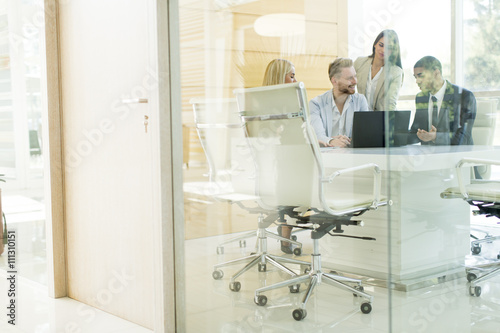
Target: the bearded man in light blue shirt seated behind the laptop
(332, 112)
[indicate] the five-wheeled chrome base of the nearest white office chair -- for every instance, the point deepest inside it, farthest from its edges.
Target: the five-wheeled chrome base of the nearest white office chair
(314, 278)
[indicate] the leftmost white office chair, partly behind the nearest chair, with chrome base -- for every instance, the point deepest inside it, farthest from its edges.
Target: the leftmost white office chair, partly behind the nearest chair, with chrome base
(232, 179)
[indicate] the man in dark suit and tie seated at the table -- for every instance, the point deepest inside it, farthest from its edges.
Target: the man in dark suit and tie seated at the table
(445, 113)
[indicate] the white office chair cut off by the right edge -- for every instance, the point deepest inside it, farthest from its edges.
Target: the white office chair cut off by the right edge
(485, 196)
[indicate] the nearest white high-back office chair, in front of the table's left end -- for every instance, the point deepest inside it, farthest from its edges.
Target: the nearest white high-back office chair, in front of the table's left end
(290, 173)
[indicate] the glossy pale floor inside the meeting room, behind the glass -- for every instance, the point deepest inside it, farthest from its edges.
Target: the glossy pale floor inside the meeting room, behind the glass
(444, 307)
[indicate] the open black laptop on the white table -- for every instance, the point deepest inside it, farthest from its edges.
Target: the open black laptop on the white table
(369, 130)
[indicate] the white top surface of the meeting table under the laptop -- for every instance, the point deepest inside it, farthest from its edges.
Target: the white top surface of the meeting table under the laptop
(409, 158)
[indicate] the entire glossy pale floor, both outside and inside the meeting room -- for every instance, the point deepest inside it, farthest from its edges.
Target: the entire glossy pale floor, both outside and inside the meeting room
(212, 307)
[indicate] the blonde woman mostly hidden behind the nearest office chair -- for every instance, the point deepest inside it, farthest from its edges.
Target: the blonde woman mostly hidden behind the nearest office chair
(280, 71)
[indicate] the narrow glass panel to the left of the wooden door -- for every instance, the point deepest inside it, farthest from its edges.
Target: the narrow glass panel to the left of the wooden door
(22, 108)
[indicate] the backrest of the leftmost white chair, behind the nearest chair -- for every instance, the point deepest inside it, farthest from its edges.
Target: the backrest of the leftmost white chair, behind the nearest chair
(223, 140)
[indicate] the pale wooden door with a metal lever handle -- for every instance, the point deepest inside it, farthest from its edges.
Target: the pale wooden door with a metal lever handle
(107, 82)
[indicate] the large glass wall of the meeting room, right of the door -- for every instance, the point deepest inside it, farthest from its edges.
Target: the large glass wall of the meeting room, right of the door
(409, 259)
